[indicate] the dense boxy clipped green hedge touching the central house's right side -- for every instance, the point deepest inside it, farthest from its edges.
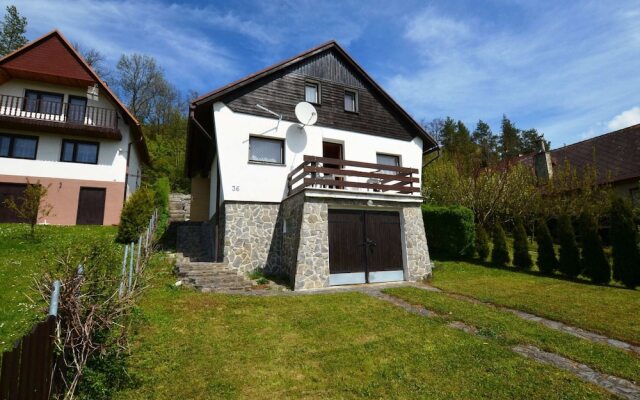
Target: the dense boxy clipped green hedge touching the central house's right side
(450, 231)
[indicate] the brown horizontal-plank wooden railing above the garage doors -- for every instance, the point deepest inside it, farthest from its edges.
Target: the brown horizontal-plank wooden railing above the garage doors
(333, 173)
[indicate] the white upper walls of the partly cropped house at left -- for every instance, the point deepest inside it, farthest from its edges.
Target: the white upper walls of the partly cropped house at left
(112, 157)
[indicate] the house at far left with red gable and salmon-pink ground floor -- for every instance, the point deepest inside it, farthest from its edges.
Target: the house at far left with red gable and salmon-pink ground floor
(61, 125)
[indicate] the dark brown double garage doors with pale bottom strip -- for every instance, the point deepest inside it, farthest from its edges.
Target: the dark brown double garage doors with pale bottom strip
(364, 246)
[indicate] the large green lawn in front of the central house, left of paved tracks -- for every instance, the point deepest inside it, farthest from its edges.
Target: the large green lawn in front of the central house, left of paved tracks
(192, 345)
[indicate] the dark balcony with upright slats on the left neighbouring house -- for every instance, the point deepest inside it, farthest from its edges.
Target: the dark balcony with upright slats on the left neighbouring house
(57, 117)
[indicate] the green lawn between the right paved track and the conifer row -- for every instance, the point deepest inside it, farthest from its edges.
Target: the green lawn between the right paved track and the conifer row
(610, 310)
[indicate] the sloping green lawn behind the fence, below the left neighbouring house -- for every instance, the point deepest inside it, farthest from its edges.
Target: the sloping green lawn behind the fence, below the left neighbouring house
(22, 258)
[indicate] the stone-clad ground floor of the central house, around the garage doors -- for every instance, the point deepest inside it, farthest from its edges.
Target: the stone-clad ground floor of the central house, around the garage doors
(291, 238)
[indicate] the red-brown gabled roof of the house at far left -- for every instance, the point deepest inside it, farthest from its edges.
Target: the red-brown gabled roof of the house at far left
(34, 62)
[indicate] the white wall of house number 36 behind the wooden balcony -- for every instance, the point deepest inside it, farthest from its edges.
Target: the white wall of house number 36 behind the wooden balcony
(243, 181)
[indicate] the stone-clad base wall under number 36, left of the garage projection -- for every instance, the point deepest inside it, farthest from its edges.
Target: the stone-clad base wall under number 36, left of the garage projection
(252, 236)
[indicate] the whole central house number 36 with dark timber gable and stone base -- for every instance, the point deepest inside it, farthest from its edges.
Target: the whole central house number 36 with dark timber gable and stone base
(333, 203)
